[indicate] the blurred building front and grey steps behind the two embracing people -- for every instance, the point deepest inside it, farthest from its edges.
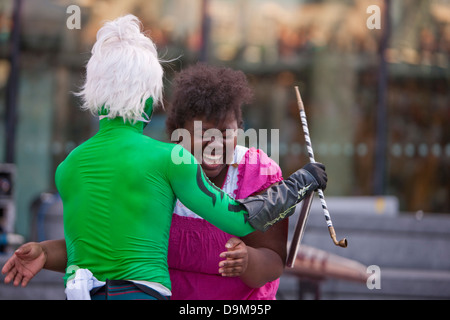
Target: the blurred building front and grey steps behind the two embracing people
(377, 100)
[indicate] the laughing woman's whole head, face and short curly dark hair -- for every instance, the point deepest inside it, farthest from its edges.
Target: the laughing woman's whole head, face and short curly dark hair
(214, 97)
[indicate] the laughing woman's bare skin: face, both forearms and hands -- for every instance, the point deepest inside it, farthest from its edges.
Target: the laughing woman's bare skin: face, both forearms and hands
(243, 258)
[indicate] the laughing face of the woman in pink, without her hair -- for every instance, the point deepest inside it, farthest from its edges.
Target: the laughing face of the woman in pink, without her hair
(216, 154)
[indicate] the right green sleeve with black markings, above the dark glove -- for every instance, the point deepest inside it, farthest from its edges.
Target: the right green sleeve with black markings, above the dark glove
(196, 192)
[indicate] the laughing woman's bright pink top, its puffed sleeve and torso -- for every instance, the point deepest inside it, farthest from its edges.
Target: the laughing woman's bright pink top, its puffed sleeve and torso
(195, 245)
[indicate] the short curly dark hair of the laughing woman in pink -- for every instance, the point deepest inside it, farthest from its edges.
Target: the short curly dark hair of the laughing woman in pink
(210, 91)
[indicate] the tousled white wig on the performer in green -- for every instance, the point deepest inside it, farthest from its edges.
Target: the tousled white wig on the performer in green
(123, 71)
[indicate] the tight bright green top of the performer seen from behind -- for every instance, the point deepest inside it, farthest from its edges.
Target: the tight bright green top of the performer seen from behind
(119, 189)
